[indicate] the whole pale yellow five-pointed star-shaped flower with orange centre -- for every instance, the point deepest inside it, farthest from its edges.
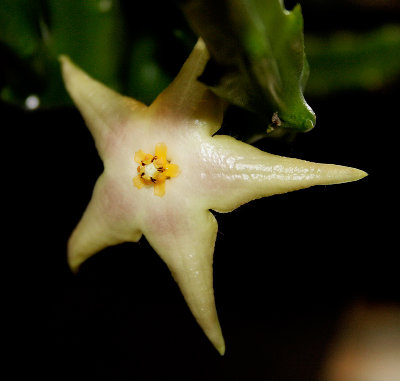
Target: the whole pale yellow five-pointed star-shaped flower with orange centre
(163, 172)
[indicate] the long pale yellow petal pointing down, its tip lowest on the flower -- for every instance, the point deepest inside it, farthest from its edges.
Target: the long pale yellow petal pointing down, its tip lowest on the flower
(187, 247)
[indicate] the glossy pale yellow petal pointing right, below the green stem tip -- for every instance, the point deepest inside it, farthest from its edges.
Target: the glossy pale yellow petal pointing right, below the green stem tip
(242, 173)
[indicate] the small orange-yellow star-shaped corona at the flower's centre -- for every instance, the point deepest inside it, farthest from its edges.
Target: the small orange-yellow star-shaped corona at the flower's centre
(154, 170)
